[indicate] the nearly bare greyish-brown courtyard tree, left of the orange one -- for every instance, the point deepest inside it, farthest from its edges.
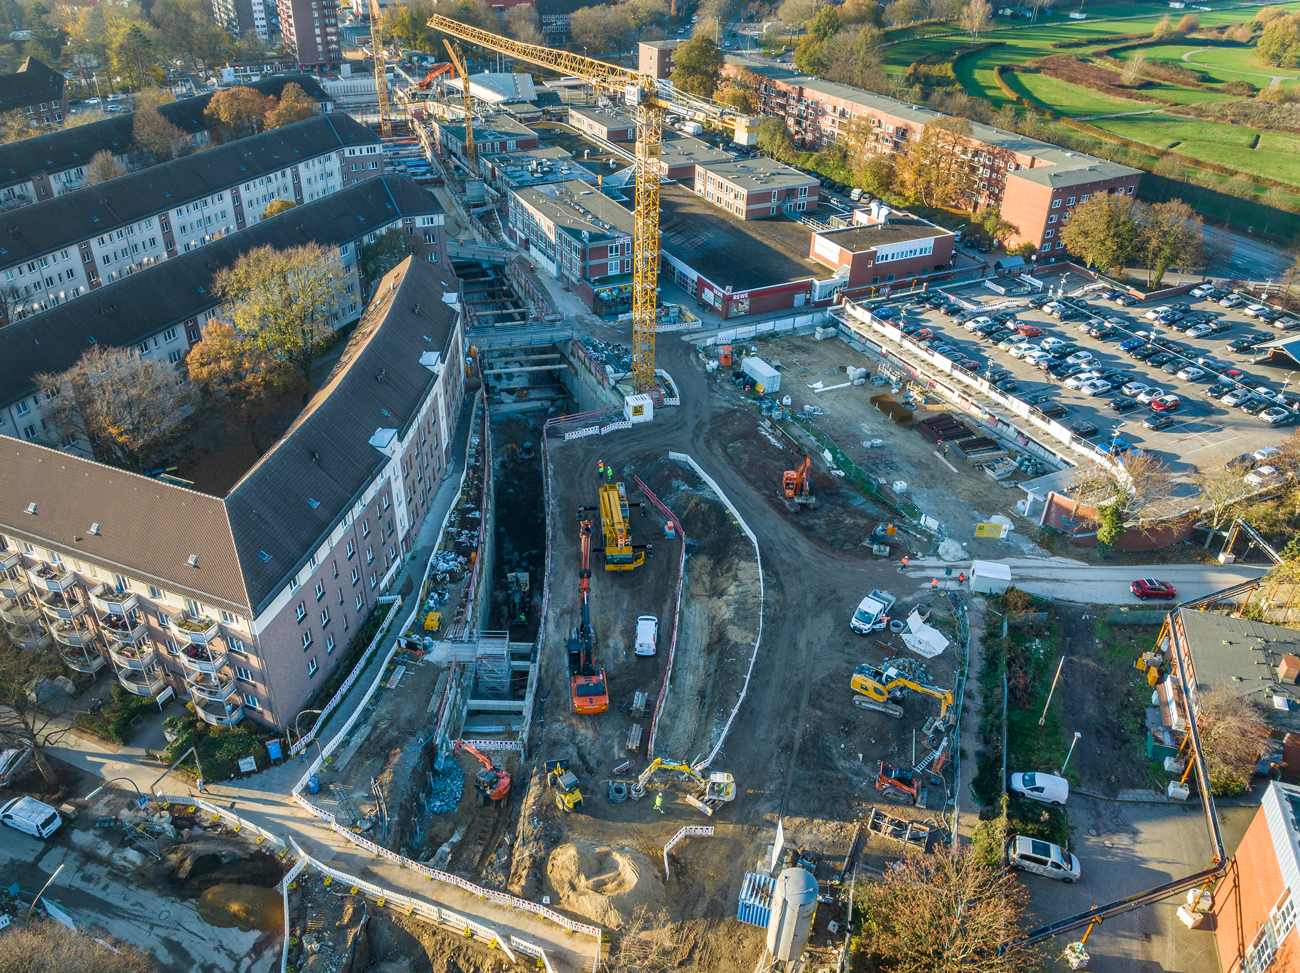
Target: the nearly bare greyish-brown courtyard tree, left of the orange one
(128, 407)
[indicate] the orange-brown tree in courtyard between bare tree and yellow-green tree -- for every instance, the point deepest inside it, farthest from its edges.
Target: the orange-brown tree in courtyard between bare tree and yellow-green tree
(244, 379)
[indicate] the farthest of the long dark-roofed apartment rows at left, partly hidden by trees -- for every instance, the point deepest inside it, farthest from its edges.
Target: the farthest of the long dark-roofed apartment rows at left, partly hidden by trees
(55, 163)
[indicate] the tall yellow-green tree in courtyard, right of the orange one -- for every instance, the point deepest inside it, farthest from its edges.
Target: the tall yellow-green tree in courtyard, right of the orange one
(287, 301)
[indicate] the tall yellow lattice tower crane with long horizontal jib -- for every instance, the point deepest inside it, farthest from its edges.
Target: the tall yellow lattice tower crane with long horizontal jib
(652, 100)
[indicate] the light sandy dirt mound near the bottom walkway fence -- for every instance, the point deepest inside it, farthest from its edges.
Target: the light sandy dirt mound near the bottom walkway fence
(604, 883)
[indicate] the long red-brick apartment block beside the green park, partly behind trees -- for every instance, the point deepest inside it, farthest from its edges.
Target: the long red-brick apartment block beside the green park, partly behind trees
(1034, 184)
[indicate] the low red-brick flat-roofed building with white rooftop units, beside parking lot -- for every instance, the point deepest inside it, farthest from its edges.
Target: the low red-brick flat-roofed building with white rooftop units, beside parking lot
(883, 248)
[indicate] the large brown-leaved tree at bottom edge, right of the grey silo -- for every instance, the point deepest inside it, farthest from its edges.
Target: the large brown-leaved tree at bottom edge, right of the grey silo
(954, 911)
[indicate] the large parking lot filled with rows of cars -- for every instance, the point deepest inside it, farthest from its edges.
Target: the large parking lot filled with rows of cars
(1189, 418)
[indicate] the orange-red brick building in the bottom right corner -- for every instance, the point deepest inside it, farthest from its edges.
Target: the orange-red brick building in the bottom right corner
(1256, 901)
